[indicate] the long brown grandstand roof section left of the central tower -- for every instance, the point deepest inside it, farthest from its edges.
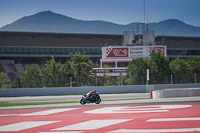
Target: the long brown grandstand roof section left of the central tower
(33, 39)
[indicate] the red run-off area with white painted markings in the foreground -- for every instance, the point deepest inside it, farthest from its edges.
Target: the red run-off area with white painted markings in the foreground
(126, 118)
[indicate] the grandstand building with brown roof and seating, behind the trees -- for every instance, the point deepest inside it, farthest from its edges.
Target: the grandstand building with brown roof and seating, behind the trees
(20, 48)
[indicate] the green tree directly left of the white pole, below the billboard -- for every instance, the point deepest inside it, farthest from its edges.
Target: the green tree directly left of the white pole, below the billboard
(136, 71)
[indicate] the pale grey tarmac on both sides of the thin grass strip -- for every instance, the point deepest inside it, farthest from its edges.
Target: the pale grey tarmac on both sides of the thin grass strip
(122, 100)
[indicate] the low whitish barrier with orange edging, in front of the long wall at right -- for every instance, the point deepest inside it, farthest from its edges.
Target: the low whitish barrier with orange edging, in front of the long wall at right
(169, 93)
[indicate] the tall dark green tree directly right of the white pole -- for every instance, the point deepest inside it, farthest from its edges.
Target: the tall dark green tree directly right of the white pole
(159, 68)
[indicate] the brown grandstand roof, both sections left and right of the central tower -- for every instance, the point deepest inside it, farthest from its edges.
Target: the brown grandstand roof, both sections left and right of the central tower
(34, 39)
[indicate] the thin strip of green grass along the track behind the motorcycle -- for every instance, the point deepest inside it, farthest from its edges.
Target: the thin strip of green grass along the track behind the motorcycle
(7, 104)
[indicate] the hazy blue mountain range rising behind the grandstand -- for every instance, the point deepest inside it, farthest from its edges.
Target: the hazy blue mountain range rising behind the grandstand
(48, 21)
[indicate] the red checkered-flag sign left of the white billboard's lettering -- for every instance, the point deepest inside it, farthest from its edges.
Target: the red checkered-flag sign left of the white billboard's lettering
(116, 52)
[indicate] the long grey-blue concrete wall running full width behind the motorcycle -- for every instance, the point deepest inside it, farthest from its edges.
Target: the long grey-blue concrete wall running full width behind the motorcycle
(82, 90)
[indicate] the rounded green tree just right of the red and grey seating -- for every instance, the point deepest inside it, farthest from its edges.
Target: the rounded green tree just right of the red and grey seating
(30, 78)
